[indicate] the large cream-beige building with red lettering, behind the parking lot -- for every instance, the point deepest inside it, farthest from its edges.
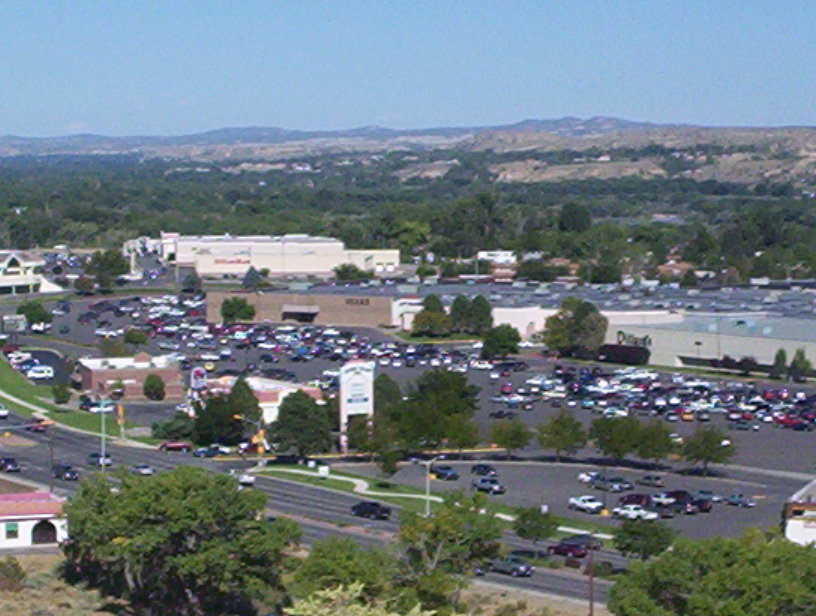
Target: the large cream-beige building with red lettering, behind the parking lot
(218, 255)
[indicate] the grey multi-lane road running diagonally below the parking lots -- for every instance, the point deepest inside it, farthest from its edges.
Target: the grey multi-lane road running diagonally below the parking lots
(320, 512)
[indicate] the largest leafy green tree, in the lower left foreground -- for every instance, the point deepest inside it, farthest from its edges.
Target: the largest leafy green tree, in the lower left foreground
(170, 546)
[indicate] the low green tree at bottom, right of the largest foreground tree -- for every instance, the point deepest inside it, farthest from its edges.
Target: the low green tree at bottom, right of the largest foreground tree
(338, 561)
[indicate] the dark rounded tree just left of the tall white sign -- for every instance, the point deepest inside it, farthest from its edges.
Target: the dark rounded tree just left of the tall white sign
(302, 425)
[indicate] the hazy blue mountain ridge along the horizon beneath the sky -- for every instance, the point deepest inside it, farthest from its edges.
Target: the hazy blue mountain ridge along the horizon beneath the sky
(260, 135)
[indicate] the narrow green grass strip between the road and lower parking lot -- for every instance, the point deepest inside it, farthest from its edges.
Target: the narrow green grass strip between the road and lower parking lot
(387, 488)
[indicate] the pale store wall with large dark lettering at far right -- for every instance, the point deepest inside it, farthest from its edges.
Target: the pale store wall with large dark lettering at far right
(667, 346)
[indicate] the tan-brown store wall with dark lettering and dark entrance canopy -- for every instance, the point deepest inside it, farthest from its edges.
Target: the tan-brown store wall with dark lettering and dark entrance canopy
(343, 310)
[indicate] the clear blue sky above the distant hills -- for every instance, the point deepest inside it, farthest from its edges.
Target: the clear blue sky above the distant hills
(174, 66)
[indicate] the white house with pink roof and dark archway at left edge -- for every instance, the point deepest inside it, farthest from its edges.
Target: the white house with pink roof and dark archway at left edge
(31, 518)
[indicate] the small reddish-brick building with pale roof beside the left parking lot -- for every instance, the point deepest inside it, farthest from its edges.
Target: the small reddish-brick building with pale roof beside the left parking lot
(100, 375)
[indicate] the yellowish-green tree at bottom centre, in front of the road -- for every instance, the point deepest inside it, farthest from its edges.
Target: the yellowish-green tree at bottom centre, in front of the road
(445, 544)
